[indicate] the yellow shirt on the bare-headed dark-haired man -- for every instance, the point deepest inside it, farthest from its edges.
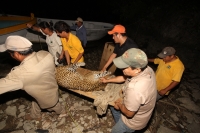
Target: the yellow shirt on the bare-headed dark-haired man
(73, 46)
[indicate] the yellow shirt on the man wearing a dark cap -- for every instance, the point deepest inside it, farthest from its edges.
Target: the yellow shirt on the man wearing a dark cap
(168, 72)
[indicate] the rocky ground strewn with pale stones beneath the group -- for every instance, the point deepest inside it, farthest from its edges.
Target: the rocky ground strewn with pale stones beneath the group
(177, 113)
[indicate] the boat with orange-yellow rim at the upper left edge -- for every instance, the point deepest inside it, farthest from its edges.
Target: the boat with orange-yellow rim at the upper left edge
(14, 25)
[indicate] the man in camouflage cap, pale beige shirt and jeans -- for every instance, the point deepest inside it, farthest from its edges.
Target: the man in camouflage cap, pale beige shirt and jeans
(133, 111)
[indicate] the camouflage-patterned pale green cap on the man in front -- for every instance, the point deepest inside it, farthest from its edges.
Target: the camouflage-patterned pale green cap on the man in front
(133, 57)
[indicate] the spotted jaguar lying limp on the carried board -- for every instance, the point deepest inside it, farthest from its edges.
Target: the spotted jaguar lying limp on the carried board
(78, 78)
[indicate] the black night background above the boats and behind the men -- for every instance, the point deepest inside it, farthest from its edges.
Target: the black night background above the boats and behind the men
(152, 24)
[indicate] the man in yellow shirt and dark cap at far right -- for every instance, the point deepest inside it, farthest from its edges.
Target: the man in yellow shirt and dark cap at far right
(169, 71)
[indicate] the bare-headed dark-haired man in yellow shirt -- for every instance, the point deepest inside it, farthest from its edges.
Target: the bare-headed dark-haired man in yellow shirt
(72, 48)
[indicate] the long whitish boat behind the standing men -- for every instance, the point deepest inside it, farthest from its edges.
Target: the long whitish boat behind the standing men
(95, 30)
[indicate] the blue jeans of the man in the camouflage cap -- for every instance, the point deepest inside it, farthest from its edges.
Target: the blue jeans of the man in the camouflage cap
(120, 126)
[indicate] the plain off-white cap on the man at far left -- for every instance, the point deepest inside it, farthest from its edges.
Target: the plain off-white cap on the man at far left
(15, 43)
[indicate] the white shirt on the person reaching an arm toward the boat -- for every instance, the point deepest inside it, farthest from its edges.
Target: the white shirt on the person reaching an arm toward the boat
(54, 45)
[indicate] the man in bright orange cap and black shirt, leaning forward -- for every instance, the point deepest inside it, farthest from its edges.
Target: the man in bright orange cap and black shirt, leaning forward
(123, 43)
